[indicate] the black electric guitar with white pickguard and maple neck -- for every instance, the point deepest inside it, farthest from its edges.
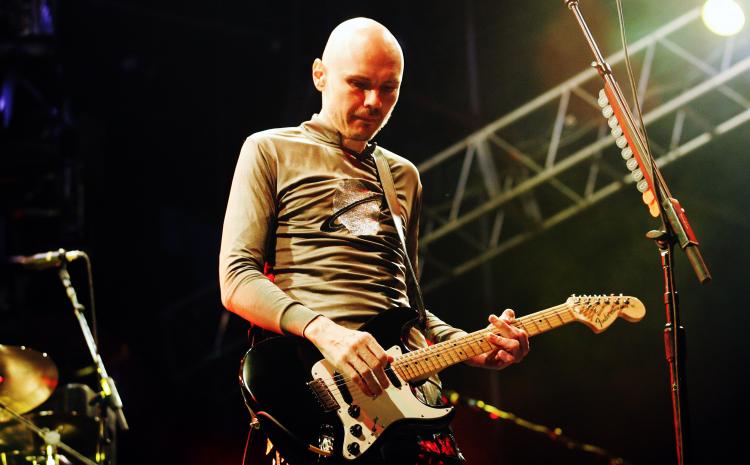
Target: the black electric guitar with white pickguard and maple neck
(312, 414)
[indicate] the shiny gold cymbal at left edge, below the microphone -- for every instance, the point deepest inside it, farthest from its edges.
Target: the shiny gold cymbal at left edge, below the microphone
(27, 379)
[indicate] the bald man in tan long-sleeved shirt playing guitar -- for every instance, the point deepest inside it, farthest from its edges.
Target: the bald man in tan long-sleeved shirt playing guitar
(306, 207)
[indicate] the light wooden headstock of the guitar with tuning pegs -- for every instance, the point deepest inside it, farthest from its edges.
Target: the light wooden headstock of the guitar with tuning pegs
(598, 312)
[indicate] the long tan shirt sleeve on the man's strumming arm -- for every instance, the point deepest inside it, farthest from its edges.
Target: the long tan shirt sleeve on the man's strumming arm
(249, 223)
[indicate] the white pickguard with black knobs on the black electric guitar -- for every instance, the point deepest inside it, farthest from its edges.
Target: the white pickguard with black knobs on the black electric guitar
(375, 414)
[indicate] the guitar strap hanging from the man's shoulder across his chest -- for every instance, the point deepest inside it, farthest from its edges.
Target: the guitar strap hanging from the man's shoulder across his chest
(389, 190)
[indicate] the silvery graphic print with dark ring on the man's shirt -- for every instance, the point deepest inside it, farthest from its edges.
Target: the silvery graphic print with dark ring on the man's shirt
(356, 208)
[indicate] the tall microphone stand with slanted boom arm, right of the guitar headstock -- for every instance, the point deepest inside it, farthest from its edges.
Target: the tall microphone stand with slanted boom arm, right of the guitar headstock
(675, 229)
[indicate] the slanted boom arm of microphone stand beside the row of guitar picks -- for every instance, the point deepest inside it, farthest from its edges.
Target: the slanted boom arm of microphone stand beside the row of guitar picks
(673, 216)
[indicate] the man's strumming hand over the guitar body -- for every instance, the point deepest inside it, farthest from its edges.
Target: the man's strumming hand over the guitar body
(356, 355)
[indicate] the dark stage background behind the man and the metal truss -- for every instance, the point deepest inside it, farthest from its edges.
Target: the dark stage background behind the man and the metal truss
(159, 97)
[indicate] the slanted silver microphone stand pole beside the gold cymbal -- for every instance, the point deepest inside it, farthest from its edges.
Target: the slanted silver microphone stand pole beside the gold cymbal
(109, 389)
